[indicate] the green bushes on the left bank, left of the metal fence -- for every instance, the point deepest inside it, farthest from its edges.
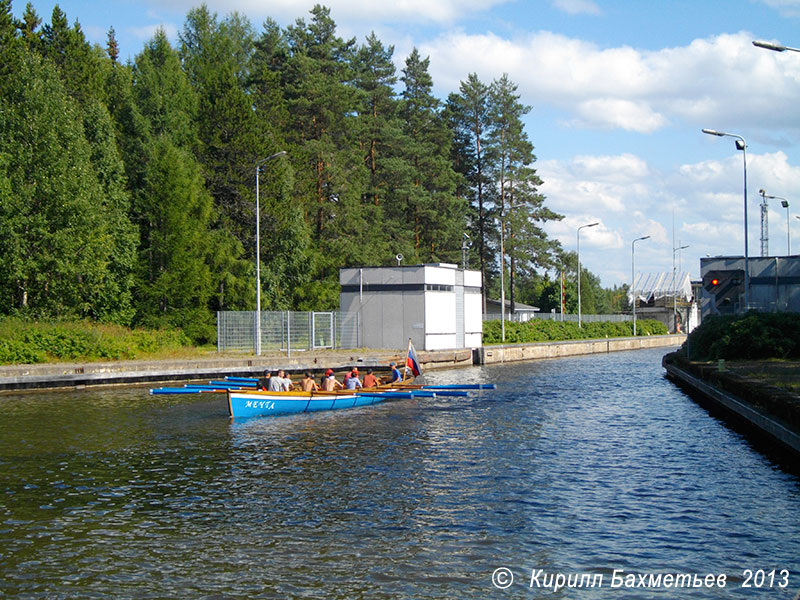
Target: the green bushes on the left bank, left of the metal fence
(24, 342)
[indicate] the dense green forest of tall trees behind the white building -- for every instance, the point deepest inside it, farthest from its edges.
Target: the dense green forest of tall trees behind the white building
(128, 191)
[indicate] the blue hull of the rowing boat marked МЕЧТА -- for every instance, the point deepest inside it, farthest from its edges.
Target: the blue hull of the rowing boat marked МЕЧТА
(242, 405)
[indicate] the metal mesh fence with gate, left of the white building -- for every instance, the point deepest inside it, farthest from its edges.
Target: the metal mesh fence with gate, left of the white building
(285, 331)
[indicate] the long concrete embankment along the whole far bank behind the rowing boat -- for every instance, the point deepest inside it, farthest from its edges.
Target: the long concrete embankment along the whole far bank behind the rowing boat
(80, 375)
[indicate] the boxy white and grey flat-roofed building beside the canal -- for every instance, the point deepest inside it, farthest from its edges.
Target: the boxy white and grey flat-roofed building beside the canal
(437, 306)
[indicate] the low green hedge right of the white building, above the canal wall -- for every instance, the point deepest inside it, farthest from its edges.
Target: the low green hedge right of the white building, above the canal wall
(539, 330)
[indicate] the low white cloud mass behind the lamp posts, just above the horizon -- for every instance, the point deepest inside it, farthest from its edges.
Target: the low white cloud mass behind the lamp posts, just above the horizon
(629, 199)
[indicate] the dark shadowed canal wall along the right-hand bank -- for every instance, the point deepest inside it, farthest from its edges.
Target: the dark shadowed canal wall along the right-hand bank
(773, 413)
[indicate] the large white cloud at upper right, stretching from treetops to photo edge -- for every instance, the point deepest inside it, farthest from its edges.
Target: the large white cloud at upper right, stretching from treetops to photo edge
(630, 89)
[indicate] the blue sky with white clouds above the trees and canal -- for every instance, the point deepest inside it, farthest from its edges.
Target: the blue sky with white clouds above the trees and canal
(619, 90)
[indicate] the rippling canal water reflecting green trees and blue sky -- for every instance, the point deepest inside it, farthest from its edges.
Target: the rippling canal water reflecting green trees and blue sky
(593, 469)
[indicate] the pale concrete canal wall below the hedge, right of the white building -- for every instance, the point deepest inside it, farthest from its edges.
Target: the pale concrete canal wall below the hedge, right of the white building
(515, 352)
